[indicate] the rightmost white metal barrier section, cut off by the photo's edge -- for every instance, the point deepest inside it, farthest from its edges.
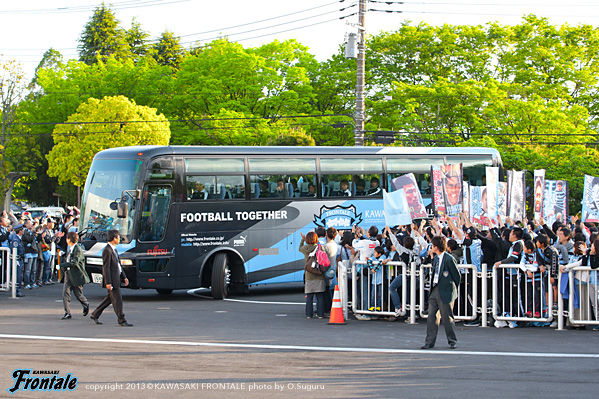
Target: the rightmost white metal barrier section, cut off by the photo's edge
(583, 281)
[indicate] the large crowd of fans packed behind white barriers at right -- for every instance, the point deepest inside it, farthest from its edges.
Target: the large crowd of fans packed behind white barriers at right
(539, 250)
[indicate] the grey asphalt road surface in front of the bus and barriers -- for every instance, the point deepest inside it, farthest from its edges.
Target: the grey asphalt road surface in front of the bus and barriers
(261, 345)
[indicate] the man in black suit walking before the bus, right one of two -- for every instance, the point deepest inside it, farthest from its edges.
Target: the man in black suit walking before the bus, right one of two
(112, 274)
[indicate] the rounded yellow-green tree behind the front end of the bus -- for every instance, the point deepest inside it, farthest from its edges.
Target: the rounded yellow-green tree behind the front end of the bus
(98, 125)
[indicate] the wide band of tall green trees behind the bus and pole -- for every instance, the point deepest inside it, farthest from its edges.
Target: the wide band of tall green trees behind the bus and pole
(529, 90)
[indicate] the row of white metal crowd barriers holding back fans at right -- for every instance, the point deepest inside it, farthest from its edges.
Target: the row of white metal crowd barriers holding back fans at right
(516, 294)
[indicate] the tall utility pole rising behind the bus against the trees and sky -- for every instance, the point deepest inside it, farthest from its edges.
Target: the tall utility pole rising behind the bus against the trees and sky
(360, 76)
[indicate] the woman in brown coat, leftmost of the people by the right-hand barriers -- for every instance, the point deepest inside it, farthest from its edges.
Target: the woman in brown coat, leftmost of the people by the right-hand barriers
(314, 283)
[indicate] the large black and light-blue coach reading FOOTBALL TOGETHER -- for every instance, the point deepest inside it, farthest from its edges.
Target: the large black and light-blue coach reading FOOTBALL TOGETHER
(232, 217)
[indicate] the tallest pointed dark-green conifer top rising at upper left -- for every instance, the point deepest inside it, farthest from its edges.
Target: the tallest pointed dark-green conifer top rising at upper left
(102, 37)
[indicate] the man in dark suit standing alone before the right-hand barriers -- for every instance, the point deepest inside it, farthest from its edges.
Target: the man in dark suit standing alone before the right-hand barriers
(445, 278)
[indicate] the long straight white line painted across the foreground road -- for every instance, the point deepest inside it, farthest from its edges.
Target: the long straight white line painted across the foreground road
(304, 348)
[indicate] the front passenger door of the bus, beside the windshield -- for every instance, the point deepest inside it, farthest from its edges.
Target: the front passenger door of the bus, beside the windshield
(156, 258)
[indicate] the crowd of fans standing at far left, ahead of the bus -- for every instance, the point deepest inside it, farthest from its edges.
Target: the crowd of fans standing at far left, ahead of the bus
(39, 243)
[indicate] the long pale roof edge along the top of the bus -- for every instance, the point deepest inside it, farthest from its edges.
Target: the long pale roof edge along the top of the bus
(146, 152)
